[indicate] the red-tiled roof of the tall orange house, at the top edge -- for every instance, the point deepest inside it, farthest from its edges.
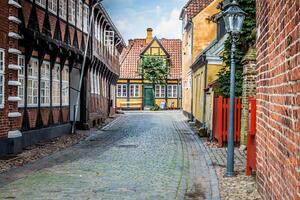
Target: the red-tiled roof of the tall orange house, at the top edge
(193, 7)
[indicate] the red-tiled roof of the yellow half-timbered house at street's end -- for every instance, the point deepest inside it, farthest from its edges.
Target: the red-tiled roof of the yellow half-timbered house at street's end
(131, 55)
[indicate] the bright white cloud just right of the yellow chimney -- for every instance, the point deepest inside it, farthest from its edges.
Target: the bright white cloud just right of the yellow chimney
(170, 27)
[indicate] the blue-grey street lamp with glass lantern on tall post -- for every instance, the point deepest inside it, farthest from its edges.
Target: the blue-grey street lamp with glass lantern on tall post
(234, 18)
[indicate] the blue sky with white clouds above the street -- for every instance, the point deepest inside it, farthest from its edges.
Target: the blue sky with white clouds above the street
(133, 17)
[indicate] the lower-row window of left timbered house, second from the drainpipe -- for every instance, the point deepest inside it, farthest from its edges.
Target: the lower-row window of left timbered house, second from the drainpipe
(56, 85)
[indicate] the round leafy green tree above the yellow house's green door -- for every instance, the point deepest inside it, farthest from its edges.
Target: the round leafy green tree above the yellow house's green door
(154, 69)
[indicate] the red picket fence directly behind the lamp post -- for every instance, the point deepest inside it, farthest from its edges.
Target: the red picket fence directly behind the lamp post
(221, 119)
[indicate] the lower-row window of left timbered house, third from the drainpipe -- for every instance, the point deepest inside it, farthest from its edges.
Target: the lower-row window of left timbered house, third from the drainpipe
(45, 84)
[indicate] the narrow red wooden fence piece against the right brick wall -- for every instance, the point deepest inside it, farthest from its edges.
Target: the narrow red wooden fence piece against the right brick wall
(251, 139)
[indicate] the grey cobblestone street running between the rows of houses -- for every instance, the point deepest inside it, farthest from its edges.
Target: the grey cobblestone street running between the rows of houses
(141, 155)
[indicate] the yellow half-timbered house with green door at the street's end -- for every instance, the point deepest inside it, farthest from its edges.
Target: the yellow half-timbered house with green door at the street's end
(135, 93)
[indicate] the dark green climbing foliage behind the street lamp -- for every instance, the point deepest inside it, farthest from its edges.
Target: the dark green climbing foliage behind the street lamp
(247, 40)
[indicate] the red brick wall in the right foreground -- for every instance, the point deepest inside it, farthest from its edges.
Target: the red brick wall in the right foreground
(278, 95)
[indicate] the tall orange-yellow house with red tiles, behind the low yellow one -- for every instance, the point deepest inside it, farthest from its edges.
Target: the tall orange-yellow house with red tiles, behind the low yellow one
(194, 40)
